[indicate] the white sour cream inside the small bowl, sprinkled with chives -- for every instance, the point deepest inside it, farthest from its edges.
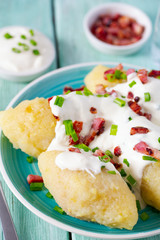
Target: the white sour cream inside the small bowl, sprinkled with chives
(26, 60)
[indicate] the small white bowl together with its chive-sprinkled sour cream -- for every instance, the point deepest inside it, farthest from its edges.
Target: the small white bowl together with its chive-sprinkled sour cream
(25, 53)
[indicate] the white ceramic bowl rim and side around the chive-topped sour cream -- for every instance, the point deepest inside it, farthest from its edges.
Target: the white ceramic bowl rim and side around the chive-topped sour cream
(28, 75)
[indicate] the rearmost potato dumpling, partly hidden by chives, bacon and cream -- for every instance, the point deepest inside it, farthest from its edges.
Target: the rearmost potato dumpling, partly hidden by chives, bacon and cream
(96, 76)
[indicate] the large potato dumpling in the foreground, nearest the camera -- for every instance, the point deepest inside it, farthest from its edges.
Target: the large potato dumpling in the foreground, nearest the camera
(105, 199)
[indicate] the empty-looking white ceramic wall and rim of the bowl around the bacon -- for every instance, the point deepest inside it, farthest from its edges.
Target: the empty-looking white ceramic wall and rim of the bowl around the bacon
(113, 8)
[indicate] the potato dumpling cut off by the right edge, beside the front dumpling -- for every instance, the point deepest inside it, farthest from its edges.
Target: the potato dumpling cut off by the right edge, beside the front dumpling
(150, 187)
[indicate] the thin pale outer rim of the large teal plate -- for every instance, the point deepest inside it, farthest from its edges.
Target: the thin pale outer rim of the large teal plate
(33, 209)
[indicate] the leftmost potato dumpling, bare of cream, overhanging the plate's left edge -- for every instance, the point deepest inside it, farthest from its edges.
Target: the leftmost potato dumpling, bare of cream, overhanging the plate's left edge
(29, 126)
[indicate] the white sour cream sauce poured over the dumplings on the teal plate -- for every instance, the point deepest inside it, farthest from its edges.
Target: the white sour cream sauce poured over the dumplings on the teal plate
(77, 107)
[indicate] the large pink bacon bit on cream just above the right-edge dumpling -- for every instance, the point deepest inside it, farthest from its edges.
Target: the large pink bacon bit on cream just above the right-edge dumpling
(144, 148)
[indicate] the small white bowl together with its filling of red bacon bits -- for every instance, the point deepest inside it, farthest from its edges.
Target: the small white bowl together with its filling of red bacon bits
(117, 28)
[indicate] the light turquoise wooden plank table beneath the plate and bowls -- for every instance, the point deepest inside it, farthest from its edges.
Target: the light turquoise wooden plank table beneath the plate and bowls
(61, 21)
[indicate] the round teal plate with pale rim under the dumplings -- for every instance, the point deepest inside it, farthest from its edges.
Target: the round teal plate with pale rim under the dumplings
(15, 168)
